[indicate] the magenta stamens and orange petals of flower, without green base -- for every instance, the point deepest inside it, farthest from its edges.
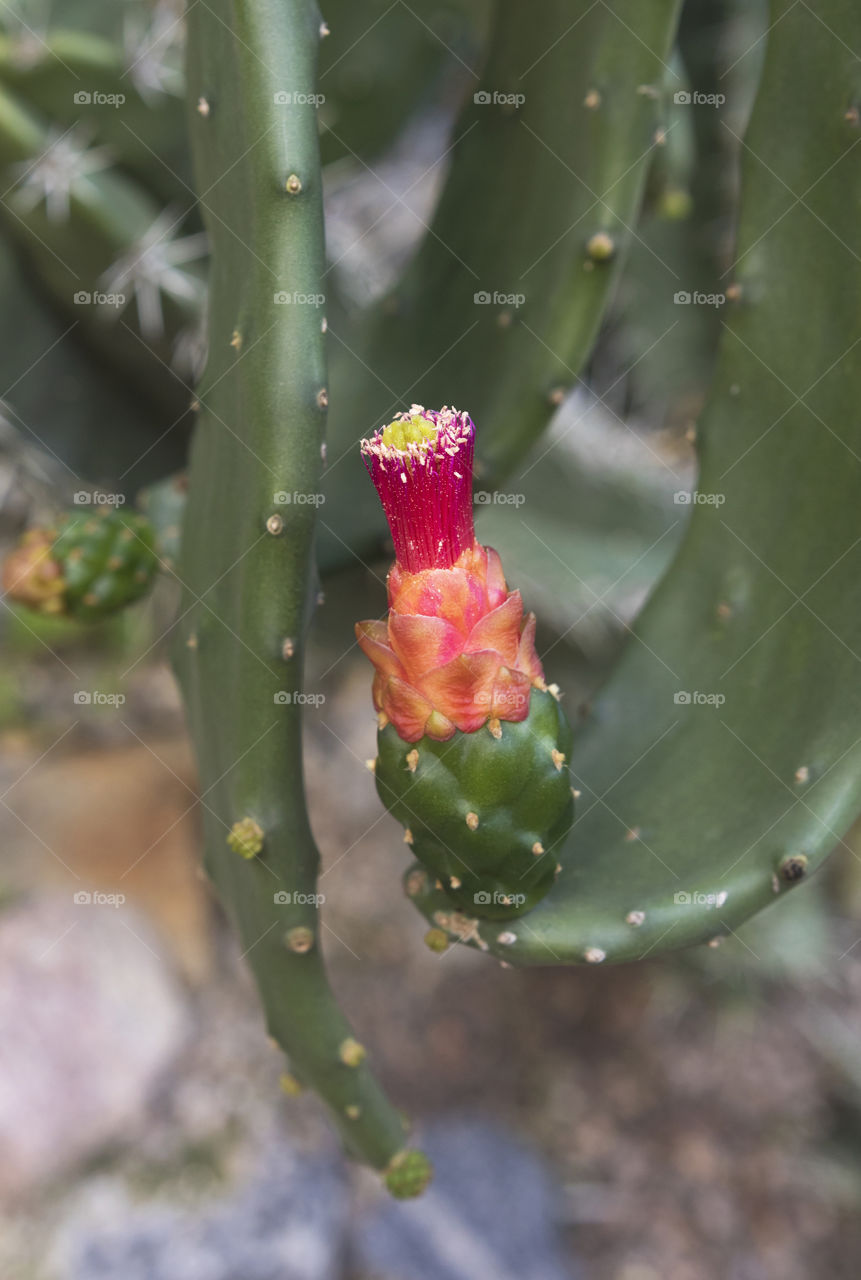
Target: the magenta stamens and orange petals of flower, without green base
(457, 651)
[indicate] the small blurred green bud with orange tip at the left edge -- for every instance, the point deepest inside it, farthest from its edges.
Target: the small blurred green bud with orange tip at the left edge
(90, 566)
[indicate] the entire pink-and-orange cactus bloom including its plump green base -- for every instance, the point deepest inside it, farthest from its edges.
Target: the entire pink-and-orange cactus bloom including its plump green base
(473, 746)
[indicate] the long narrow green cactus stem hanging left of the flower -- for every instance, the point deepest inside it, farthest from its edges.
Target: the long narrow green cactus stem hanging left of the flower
(246, 560)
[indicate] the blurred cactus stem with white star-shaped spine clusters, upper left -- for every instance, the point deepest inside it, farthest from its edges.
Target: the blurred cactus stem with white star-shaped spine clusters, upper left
(94, 234)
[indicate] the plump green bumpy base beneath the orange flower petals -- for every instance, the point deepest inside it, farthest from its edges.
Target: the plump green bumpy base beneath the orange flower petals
(487, 812)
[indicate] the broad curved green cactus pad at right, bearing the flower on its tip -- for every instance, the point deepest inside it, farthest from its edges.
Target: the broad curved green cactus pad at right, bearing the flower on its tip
(697, 813)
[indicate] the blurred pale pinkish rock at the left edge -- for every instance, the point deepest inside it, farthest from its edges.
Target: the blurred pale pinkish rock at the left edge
(90, 1020)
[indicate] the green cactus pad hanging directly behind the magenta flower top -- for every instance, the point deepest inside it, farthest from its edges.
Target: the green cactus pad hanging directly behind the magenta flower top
(501, 312)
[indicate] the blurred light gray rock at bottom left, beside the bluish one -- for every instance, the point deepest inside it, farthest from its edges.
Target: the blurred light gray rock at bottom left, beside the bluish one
(286, 1223)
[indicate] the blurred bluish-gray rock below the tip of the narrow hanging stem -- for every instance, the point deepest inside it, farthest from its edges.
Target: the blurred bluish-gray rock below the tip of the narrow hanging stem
(491, 1212)
